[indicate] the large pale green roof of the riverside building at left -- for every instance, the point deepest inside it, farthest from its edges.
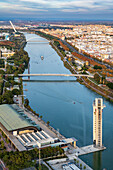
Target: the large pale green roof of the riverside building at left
(11, 119)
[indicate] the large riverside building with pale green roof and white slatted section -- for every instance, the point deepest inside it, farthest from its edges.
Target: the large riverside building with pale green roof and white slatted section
(23, 133)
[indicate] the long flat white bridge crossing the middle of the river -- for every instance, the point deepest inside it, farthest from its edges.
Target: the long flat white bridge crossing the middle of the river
(59, 75)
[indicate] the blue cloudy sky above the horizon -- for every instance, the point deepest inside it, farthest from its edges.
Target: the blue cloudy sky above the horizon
(57, 9)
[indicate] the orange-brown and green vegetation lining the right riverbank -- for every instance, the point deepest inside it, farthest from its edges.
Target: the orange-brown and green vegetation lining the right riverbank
(60, 48)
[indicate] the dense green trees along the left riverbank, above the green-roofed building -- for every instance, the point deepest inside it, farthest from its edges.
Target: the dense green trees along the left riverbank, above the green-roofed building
(20, 62)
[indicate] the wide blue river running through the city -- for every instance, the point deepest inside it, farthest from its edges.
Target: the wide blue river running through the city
(67, 105)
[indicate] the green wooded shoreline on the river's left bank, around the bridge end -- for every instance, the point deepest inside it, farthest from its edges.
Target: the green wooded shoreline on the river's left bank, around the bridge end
(16, 64)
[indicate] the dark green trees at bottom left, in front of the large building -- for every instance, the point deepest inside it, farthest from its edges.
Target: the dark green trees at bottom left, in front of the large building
(19, 160)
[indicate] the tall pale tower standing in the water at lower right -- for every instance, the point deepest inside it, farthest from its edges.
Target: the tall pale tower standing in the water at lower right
(97, 121)
